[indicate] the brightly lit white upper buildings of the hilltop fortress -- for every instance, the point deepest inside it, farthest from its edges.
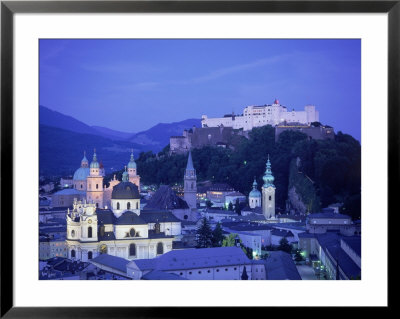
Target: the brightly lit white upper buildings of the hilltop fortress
(255, 116)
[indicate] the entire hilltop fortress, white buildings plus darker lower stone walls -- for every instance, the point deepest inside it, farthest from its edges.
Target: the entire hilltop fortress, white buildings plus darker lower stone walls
(224, 131)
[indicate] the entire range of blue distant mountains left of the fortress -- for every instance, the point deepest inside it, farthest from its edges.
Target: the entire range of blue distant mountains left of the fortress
(63, 139)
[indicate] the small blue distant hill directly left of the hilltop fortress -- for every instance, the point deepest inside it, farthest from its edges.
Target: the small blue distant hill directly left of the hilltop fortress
(158, 136)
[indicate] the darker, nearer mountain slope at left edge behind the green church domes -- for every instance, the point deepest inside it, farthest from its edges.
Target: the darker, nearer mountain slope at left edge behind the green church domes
(61, 151)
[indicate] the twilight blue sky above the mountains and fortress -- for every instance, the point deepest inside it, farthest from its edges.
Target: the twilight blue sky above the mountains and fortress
(131, 85)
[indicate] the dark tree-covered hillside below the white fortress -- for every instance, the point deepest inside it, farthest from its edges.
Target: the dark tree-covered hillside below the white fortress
(332, 166)
